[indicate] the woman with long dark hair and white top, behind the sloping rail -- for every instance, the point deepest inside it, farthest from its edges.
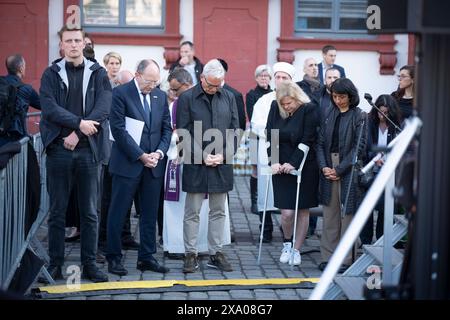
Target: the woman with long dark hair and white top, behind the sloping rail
(381, 133)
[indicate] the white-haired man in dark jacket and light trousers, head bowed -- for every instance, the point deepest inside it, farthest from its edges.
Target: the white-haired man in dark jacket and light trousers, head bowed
(206, 111)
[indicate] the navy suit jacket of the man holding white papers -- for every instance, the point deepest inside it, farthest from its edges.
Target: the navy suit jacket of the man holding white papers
(156, 135)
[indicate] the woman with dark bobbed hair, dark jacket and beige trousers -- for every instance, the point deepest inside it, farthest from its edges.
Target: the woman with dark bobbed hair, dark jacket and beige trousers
(336, 147)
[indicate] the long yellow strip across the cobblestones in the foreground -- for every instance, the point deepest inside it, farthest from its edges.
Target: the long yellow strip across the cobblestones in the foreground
(123, 285)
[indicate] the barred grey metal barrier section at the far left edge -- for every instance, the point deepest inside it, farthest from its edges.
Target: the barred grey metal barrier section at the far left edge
(13, 186)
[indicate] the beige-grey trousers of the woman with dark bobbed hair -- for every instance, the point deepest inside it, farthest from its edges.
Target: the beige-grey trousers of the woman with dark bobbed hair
(334, 226)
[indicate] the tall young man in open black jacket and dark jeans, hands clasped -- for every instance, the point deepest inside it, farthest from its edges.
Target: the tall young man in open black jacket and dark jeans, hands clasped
(75, 100)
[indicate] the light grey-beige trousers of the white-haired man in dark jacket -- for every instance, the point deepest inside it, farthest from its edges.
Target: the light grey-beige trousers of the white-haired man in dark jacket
(216, 221)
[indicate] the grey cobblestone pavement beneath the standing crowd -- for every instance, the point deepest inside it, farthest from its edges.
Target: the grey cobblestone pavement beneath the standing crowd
(242, 254)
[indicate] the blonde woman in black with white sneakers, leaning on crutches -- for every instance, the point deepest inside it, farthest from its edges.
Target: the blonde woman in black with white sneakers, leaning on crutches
(295, 117)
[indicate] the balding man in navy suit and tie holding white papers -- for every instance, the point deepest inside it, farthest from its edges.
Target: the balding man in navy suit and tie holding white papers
(138, 167)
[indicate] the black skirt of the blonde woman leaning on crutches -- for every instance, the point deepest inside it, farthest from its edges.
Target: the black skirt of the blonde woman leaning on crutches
(285, 188)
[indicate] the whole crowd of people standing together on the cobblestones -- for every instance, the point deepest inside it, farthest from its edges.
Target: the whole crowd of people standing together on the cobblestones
(113, 137)
